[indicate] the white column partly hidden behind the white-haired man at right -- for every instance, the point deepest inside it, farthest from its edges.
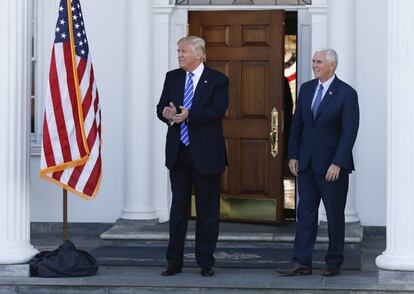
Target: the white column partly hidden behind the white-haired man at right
(341, 38)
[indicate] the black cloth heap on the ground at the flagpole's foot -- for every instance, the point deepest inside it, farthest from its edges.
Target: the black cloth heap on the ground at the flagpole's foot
(66, 261)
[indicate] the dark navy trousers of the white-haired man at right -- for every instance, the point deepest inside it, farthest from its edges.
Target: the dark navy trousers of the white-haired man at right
(312, 188)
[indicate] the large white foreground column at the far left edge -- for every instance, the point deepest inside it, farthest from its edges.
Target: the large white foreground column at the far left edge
(15, 63)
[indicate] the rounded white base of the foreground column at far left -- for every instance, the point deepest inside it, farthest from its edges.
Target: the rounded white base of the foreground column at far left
(17, 254)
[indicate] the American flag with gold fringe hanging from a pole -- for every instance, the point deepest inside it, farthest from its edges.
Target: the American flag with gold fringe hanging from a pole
(71, 149)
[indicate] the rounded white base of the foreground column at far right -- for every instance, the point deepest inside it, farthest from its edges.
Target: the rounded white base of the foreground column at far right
(395, 262)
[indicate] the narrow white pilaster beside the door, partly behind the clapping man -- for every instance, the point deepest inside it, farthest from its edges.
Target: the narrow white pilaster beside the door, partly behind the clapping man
(162, 194)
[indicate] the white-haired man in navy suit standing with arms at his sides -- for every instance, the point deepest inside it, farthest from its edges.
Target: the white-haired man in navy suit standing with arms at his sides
(323, 133)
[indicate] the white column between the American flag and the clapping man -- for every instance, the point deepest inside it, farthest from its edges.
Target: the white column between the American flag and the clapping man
(139, 113)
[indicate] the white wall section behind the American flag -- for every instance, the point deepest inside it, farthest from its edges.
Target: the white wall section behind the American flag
(105, 24)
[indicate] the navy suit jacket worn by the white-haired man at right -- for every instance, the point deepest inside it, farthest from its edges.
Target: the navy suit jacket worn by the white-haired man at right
(329, 137)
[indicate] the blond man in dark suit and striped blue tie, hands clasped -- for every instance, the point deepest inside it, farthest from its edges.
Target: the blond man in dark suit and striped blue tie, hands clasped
(192, 104)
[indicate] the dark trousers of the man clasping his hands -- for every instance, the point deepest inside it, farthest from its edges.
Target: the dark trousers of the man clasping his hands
(207, 195)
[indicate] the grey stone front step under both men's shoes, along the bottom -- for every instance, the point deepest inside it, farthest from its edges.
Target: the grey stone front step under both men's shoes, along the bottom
(147, 280)
